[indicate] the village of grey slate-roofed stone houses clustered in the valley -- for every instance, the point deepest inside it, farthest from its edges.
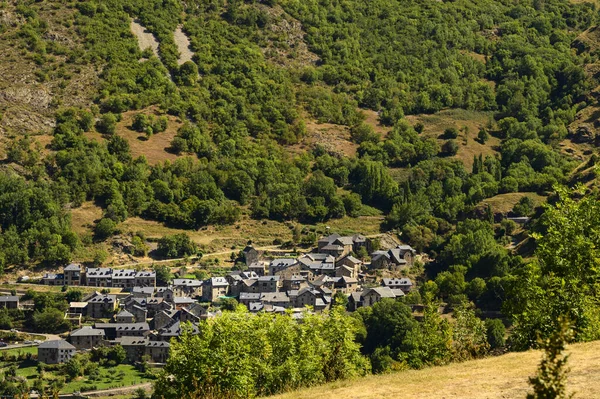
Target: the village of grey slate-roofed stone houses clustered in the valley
(144, 317)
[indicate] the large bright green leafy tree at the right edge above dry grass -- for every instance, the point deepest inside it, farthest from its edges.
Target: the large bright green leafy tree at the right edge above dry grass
(562, 282)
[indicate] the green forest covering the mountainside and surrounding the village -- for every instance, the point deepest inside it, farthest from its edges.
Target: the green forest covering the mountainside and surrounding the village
(264, 72)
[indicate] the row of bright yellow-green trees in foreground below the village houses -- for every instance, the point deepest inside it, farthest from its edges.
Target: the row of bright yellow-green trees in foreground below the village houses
(237, 355)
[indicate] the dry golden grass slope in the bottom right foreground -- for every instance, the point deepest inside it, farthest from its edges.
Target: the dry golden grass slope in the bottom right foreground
(503, 377)
